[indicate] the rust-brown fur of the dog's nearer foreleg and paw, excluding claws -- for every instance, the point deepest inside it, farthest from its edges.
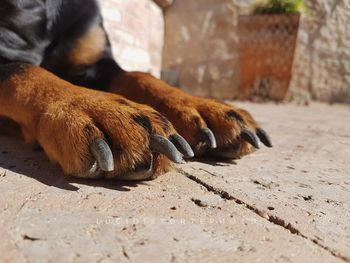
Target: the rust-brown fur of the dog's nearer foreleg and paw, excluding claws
(65, 119)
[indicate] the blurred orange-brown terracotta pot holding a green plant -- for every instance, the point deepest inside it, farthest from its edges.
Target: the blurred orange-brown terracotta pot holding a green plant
(267, 45)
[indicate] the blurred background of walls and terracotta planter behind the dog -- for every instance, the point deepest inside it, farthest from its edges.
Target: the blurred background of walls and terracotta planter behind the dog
(279, 50)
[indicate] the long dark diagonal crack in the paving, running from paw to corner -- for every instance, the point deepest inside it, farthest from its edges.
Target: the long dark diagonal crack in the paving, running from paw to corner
(271, 218)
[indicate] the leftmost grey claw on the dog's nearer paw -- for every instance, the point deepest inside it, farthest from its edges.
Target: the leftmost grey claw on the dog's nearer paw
(103, 154)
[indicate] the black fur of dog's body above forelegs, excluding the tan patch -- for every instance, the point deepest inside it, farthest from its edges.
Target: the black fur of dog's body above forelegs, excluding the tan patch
(41, 32)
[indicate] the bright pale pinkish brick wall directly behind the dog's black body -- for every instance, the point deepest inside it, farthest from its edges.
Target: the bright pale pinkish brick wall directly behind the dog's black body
(135, 28)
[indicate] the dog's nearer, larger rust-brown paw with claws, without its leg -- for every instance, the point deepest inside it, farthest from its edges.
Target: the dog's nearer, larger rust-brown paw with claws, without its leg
(93, 134)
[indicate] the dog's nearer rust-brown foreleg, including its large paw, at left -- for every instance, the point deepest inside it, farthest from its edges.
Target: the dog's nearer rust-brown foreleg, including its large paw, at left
(89, 133)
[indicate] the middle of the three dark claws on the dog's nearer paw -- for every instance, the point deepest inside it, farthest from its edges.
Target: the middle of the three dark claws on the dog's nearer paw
(164, 146)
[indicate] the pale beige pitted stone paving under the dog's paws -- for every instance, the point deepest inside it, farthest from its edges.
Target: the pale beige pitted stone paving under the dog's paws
(286, 204)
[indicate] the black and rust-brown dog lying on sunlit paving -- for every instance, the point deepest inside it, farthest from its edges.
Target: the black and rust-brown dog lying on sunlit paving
(62, 88)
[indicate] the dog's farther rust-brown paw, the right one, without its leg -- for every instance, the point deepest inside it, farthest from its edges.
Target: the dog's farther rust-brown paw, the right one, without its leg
(215, 128)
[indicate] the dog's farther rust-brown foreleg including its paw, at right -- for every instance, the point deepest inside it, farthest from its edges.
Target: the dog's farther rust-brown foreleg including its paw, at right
(211, 127)
